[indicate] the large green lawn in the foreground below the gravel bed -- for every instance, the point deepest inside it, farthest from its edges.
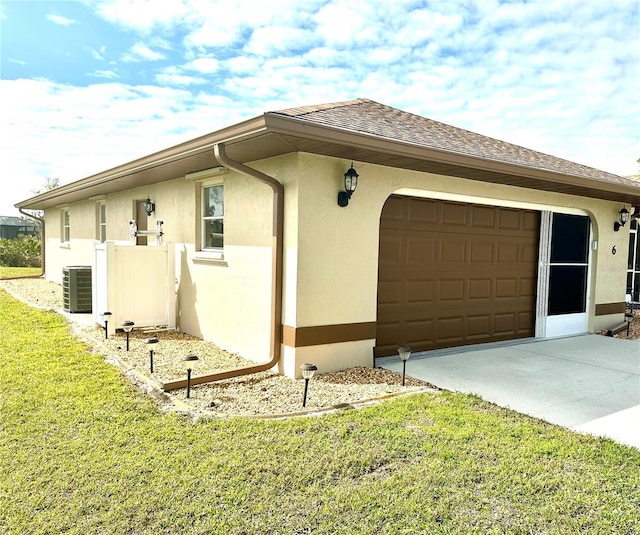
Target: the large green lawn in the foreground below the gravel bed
(82, 451)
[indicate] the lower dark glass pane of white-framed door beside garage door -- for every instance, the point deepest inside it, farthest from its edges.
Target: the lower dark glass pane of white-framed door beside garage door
(567, 289)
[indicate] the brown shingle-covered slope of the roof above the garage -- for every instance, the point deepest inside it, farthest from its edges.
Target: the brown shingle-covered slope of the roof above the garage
(370, 117)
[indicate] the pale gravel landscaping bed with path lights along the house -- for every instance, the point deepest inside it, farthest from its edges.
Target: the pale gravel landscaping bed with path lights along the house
(262, 394)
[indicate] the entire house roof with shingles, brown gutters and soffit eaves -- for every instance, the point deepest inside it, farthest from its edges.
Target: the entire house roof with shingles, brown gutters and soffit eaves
(365, 131)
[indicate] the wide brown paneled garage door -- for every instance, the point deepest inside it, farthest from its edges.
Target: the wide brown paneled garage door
(452, 274)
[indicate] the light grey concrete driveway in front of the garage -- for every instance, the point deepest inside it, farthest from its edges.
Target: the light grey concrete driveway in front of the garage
(587, 383)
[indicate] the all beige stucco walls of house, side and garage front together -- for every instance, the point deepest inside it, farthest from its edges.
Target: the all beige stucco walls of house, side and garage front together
(330, 253)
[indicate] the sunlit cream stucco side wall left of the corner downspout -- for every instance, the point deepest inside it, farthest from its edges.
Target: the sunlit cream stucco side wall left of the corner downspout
(229, 301)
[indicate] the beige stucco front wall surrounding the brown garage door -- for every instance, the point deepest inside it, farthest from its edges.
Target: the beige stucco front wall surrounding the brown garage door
(338, 254)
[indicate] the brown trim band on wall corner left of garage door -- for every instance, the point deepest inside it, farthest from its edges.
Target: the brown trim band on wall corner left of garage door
(327, 334)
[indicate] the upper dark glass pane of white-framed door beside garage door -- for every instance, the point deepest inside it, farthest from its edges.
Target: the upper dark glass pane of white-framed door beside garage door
(570, 241)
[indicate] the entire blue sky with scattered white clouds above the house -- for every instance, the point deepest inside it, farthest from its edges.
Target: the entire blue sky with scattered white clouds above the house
(86, 85)
